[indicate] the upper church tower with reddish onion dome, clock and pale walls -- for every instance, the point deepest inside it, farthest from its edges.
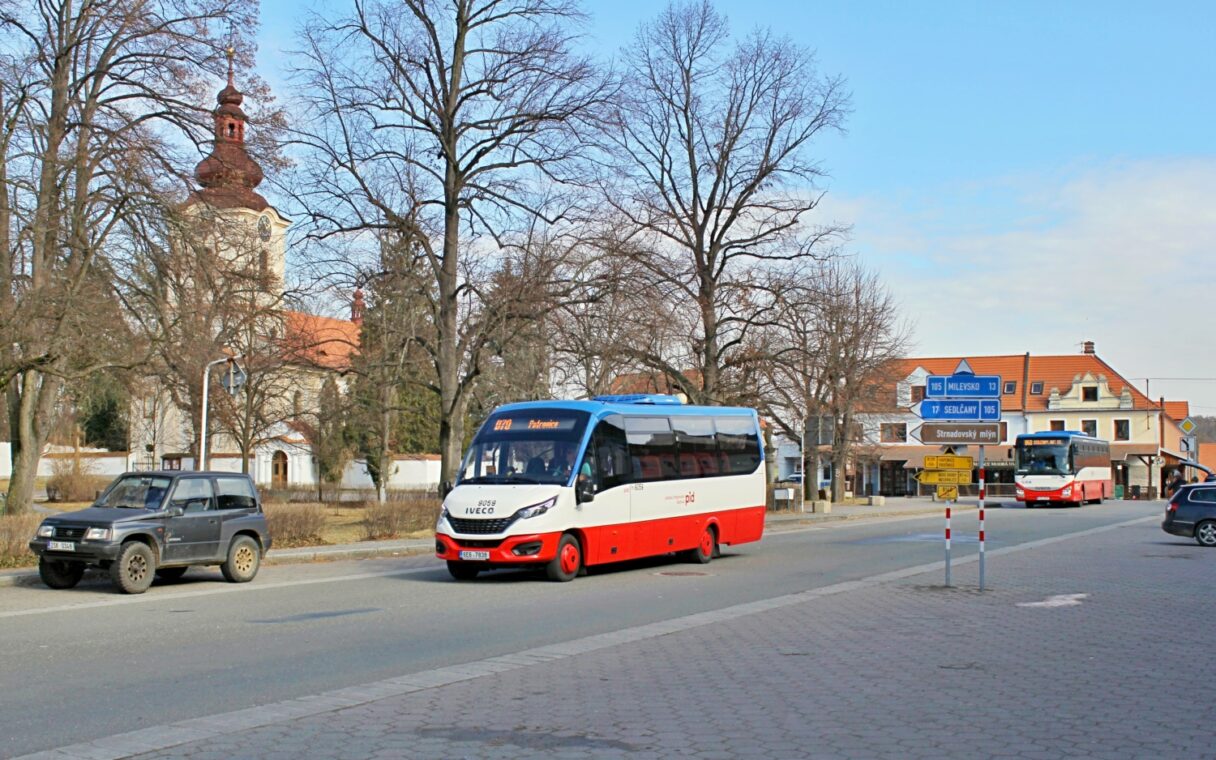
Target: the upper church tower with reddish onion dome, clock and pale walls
(247, 228)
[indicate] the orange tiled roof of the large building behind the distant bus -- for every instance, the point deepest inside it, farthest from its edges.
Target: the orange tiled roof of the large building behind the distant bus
(1052, 371)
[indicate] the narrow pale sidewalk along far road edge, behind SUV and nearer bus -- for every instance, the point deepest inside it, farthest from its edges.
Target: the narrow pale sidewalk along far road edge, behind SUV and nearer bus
(407, 548)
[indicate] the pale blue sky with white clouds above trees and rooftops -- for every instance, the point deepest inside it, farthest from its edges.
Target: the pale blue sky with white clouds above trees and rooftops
(1027, 176)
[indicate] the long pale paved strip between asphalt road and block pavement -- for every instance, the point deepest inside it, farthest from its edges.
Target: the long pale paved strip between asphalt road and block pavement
(156, 739)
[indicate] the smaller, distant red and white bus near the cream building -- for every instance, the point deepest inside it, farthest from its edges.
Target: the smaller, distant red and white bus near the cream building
(1062, 466)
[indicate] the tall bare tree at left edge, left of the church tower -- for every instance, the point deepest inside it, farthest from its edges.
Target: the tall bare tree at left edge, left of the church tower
(97, 97)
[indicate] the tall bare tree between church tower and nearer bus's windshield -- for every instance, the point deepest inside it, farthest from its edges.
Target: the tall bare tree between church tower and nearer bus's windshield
(435, 121)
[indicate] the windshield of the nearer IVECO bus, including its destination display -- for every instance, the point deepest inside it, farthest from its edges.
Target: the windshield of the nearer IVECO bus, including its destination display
(526, 447)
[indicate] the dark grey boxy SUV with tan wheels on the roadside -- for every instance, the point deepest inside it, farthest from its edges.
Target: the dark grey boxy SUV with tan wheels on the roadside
(157, 523)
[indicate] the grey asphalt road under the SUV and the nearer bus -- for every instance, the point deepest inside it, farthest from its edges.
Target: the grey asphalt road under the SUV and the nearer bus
(87, 663)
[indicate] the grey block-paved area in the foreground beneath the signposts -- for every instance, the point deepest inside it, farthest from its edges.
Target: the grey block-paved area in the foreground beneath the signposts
(1091, 648)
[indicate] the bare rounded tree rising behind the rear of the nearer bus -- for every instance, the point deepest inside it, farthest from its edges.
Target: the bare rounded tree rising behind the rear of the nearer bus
(712, 170)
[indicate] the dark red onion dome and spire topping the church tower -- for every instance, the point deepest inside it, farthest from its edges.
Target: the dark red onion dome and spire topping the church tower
(229, 176)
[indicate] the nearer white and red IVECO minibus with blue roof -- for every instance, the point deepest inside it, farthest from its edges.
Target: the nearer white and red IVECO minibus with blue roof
(572, 485)
